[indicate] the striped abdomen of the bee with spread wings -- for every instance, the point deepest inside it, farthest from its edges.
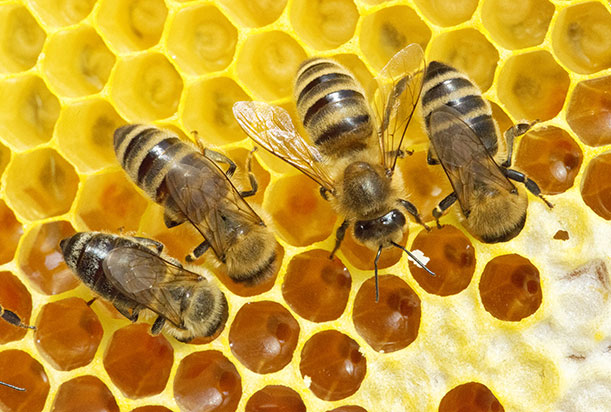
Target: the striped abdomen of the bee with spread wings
(332, 107)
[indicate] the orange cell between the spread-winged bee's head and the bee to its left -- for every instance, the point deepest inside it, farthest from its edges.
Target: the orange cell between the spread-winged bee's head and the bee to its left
(300, 214)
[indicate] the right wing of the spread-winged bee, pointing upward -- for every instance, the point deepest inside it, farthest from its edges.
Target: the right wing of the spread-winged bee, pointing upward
(399, 88)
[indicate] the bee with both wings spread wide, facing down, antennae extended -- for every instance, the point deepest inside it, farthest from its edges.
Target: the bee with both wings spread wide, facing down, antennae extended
(355, 171)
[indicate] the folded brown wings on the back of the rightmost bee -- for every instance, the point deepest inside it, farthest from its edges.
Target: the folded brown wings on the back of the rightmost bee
(464, 157)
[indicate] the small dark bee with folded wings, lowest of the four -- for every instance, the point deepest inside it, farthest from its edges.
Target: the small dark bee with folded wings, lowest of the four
(134, 274)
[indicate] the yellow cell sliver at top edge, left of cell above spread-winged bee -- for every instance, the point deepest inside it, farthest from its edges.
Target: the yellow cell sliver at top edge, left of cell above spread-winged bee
(254, 13)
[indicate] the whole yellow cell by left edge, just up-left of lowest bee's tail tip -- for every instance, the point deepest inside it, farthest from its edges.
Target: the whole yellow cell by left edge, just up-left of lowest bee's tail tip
(41, 184)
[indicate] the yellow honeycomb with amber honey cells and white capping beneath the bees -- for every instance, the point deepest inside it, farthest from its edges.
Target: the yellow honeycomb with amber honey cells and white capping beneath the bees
(517, 326)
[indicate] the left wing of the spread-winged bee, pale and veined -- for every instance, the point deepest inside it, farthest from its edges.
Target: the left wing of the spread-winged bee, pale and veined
(272, 127)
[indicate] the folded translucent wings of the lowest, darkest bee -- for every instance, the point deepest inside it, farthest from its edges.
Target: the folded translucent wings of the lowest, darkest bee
(144, 277)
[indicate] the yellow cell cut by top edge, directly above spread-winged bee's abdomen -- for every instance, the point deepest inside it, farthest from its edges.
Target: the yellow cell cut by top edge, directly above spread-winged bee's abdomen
(324, 24)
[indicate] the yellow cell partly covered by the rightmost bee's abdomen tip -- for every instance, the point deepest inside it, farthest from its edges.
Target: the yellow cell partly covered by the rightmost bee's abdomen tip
(469, 51)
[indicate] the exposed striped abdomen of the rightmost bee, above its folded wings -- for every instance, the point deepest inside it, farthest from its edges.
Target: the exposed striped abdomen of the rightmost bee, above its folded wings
(444, 85)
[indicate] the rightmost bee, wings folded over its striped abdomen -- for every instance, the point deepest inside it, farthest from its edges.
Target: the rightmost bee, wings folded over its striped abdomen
(465, 140)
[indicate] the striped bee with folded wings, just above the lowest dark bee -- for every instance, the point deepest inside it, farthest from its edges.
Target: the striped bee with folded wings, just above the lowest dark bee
(191, 186)
